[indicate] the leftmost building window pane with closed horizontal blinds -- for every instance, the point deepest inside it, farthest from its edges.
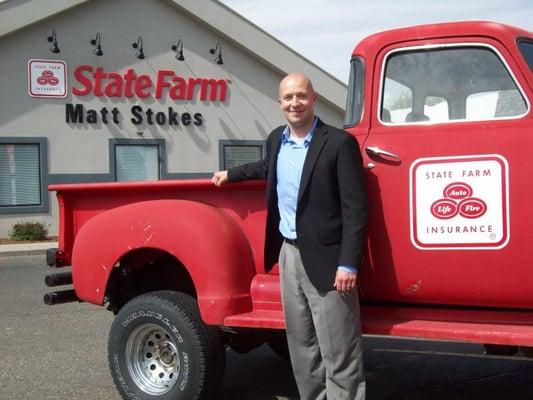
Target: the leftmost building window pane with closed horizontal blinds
(20, 174)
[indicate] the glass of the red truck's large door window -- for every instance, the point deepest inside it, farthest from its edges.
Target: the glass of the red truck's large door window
(443, 84)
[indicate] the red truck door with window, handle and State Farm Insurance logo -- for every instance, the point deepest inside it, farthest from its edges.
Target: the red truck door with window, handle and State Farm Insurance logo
(449, 161)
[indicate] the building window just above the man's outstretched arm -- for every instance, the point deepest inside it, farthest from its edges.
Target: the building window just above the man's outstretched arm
(238, 152)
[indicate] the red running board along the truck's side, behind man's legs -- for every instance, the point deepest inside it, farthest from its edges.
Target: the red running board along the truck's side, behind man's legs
(504, 327)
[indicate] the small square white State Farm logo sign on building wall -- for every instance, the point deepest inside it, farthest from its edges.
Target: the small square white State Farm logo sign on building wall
(47, 78)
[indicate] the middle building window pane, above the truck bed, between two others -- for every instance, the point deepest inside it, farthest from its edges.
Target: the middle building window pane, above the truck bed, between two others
(136, 162)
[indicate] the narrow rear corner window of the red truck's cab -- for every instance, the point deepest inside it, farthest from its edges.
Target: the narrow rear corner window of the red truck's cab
(354, 101)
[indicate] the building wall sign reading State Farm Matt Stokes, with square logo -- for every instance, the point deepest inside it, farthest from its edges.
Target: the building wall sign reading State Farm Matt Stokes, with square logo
(48, 78)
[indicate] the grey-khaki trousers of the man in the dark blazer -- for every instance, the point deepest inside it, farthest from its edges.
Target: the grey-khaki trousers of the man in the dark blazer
(324, 334)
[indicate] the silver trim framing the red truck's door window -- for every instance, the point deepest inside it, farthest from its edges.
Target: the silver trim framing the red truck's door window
(429, 47)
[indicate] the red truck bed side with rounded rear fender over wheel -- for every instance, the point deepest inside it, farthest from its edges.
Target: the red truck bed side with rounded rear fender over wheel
(216, 234)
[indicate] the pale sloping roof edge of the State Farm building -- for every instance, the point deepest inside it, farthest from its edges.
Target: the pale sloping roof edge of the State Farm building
(19, 14)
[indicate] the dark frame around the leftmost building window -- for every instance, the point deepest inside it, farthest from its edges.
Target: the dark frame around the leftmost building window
(43, 207)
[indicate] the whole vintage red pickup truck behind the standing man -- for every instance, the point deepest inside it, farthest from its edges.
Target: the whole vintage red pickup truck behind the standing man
(443, 116)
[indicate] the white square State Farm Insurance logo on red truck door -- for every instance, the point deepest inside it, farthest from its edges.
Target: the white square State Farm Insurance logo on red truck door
(459, 202)
